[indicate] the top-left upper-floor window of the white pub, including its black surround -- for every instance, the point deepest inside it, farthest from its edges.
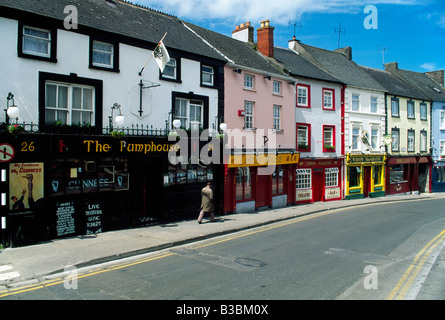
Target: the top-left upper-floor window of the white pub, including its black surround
(37, 43)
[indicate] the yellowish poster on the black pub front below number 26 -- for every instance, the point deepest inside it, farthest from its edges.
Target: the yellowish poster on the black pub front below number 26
(25, 185)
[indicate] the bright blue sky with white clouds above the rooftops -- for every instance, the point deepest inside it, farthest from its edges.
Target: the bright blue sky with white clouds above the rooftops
(410, 32)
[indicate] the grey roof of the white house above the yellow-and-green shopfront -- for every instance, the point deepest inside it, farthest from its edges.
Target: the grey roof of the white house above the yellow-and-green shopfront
(342, 68)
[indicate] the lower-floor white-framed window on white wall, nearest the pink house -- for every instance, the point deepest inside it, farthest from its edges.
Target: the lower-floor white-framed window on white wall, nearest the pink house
(189, 112)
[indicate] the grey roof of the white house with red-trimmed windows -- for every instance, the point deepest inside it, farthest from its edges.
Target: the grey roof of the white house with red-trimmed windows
(300, 66)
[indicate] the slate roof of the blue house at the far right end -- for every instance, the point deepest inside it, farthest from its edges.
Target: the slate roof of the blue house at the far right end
(424, 83)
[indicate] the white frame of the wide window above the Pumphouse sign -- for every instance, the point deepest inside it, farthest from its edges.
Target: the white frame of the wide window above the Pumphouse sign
(69, 109)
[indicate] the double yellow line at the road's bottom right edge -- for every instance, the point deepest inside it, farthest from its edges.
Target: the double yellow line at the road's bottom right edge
(400, 290)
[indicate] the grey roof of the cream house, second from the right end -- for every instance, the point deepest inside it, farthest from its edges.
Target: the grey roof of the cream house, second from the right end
(394, 85)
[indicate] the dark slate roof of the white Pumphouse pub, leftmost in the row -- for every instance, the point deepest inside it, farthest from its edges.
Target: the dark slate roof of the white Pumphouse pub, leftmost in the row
(121, 18)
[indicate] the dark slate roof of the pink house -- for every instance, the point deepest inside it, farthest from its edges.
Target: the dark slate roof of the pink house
(237, 52)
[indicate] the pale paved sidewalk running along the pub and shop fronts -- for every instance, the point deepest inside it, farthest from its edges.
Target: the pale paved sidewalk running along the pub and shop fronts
(52, 257)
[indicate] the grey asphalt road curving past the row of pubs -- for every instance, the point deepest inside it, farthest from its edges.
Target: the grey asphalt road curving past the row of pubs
(378, 251)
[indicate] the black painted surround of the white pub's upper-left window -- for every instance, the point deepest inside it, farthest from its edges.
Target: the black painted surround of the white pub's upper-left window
(52, 55)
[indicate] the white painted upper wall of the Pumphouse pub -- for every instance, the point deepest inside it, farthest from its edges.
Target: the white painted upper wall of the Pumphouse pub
(20, 76)
